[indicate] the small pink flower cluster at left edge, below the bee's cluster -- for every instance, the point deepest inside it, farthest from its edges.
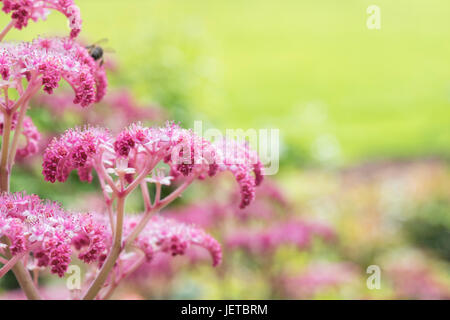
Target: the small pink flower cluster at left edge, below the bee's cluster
(30, 133)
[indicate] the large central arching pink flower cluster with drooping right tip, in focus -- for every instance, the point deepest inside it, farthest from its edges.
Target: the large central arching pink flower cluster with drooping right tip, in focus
(188, 156)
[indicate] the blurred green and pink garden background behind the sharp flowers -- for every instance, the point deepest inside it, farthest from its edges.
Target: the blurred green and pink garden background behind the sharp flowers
(365, 142)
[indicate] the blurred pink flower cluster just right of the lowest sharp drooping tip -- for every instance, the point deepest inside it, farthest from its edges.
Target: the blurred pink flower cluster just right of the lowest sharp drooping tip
(297, 233)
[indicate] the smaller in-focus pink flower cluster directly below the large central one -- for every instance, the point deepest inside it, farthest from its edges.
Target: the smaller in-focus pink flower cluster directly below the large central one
(172, 237)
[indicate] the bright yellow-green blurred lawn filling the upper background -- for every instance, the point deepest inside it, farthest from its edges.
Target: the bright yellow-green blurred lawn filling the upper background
(310, 68)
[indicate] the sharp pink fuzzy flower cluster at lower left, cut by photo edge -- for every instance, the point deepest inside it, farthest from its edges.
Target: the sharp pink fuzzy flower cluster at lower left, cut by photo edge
(50, 233)
